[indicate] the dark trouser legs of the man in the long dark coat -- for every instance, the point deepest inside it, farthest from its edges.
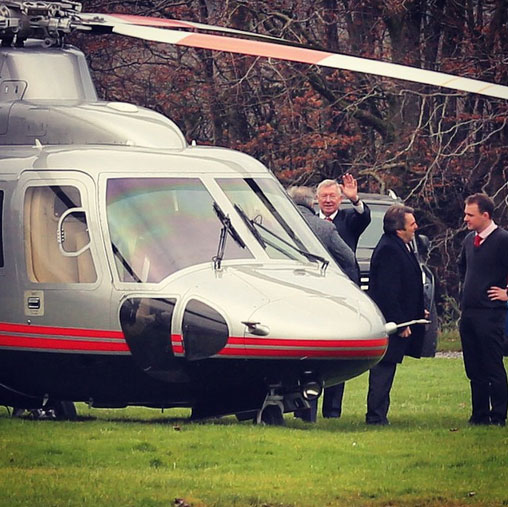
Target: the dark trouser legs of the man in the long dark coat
(378, 398)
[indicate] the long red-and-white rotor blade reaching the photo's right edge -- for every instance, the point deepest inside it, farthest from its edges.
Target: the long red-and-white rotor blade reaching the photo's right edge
(160, 30)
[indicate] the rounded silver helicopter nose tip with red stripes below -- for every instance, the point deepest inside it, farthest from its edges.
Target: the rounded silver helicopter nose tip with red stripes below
(316, 327)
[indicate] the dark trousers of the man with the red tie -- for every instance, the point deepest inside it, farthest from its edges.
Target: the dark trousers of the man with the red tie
(482, 336)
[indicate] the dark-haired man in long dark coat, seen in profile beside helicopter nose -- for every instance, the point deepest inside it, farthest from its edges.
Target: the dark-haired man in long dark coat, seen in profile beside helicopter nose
(396, 287)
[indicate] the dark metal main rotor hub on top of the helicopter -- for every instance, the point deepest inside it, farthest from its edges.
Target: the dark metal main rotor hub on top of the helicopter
(48, 21)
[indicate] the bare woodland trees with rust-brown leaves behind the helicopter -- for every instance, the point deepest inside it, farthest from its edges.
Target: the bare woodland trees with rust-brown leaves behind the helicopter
(433, 147)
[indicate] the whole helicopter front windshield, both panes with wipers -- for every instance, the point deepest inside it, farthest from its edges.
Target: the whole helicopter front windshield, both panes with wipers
(160, 225)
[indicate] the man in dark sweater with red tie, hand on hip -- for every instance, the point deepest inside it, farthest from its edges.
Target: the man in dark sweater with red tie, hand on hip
(483, 266)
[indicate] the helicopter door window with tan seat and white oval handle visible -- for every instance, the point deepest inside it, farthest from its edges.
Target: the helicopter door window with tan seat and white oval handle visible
(57, 241)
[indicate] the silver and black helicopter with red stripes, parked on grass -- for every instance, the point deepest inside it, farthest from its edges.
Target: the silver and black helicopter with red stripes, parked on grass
(138, 269)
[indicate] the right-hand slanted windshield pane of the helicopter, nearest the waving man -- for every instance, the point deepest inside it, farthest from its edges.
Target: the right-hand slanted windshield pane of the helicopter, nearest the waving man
(274, 221)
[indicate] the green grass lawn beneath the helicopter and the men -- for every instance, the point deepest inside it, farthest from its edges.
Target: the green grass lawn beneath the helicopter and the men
(429, 455)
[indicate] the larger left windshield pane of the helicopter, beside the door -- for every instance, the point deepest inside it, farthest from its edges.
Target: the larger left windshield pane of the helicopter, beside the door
(161, 225)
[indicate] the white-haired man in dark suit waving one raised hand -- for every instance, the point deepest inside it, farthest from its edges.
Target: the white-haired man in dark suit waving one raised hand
(350, 224)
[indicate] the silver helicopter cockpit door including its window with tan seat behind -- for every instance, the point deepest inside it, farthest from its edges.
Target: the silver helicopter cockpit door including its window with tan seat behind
(63, 253)
